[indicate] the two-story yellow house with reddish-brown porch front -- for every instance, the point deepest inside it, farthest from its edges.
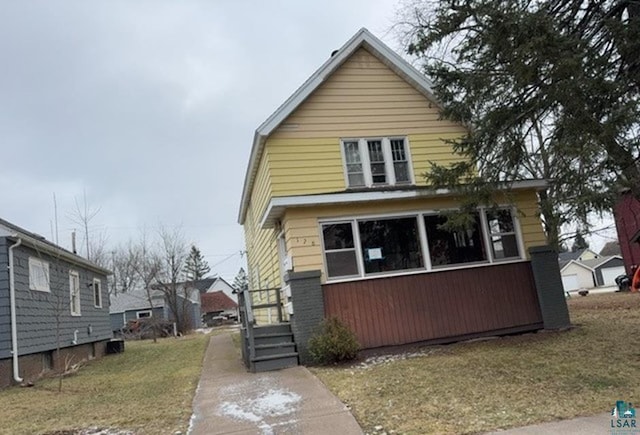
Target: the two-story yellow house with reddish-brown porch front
(335, 189)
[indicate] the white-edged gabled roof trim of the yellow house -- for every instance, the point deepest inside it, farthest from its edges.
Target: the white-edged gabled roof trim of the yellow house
(362, 39)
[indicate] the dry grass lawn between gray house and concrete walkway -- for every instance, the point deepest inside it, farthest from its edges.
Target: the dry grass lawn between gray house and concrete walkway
(148, 389)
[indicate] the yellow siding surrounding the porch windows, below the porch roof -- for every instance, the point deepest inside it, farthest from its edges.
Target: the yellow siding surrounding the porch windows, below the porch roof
(302, 230)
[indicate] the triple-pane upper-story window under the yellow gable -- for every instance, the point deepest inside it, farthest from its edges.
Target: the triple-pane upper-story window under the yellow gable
(376, 162)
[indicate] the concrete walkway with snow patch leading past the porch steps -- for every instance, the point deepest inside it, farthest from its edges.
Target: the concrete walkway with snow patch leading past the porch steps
(230, 400)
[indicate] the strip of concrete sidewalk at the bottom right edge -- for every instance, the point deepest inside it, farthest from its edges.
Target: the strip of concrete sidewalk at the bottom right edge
(594, 425)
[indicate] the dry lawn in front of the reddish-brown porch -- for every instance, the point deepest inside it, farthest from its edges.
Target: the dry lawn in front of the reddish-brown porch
(506, 382)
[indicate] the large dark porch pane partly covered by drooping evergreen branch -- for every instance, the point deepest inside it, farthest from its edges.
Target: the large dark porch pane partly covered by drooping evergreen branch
(454, 247)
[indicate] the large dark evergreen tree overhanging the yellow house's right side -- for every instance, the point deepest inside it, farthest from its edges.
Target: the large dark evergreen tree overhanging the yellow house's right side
(550, 90)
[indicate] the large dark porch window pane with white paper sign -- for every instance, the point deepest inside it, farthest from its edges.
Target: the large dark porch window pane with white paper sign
(390, 244)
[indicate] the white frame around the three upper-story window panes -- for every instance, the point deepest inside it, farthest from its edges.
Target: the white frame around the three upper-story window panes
(390, 174)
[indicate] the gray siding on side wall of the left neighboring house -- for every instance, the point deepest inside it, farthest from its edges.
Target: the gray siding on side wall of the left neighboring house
(39, 313)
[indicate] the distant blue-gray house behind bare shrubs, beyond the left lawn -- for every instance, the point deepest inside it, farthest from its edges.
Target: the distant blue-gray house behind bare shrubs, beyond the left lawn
(135, 304)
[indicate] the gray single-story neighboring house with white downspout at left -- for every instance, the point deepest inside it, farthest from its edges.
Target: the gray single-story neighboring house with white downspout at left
(46, 290)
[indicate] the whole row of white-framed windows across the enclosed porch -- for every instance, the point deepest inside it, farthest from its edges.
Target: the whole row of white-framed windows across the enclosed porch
(400, 244)
